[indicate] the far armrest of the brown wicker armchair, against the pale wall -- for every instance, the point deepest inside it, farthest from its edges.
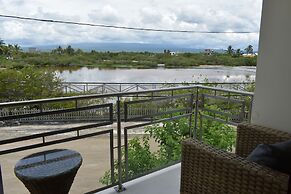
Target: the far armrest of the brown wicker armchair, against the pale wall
(249, 136)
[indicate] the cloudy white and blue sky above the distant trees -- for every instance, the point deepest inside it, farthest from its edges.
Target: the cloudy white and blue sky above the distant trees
(200, 15)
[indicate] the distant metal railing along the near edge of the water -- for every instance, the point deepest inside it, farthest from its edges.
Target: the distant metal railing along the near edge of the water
(110, 87)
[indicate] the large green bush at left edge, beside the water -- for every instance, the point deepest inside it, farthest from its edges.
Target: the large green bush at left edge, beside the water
(27, 84)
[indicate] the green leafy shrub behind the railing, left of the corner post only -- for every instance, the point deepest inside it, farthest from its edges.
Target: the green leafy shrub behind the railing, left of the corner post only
(140, 157)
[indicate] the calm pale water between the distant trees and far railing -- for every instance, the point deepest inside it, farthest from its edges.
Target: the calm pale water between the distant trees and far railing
(200, 74)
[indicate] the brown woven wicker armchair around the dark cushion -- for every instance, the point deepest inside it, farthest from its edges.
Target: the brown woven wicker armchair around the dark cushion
(207, 170)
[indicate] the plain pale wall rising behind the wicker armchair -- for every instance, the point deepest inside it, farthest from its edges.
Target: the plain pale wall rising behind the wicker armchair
(272, 104)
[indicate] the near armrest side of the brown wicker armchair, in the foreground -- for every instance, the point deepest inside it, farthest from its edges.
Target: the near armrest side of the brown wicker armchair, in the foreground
(207, 170)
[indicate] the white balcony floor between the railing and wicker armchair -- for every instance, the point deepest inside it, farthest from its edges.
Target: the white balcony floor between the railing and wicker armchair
(165, 181)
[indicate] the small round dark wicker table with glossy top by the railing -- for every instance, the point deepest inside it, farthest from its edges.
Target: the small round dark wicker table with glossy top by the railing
(49, 172)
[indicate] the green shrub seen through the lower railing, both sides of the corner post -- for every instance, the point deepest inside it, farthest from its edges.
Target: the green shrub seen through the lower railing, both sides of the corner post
(169, 136)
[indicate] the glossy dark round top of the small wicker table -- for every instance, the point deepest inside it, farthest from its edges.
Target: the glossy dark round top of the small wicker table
(47, 164)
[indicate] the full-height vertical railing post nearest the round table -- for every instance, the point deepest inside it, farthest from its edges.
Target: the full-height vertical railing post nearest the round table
(119, 188)
